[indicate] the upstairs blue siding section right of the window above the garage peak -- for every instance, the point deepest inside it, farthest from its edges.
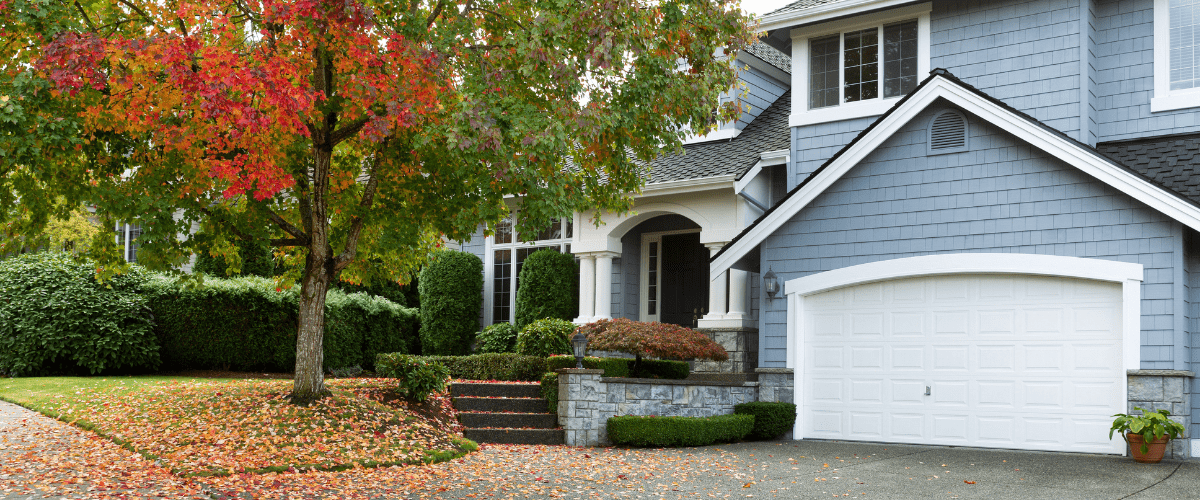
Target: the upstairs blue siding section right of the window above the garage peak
(1025, 53)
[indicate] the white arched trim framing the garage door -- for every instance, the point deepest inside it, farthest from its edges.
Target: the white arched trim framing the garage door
(1129, 275)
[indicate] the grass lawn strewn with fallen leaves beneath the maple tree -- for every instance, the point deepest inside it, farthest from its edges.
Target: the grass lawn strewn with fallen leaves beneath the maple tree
(225, 426)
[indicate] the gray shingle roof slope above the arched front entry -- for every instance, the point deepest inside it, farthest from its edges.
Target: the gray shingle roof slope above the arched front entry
(767, 132)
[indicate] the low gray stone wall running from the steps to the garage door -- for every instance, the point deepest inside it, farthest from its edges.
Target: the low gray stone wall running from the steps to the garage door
(587, 400)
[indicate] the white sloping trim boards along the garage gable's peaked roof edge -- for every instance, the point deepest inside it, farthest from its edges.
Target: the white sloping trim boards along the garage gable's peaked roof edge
(1023, 129)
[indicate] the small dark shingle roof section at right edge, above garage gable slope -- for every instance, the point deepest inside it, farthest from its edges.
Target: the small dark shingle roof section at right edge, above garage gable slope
(1169, 161)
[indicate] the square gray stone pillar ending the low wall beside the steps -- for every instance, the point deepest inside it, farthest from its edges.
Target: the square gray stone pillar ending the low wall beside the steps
(580, 395)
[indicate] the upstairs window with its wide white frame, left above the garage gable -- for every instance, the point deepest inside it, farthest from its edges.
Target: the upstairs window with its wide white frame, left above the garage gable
(859, 68)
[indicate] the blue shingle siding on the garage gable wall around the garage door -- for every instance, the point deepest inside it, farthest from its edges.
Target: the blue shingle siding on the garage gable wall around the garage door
(1001, 196)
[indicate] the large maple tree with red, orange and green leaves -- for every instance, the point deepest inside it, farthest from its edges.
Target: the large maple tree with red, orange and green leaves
(351, 135)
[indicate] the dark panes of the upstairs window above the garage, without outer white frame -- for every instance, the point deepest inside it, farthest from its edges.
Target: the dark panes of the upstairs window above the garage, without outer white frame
(848, 68)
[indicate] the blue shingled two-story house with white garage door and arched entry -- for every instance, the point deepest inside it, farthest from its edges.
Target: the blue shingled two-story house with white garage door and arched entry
(956, 222)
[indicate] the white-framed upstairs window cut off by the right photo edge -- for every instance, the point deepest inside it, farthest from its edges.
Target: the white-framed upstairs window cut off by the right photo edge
(1177, 56)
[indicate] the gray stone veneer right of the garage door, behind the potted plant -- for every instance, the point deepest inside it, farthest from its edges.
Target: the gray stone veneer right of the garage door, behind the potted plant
(1165, 390)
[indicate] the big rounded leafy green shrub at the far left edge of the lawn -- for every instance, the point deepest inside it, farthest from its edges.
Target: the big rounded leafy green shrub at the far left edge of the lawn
(57, 318)
